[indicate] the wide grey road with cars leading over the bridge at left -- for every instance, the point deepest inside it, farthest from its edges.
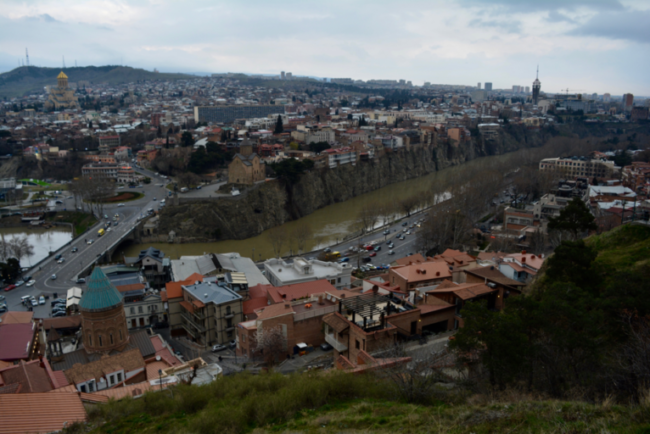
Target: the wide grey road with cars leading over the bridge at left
(67, 272)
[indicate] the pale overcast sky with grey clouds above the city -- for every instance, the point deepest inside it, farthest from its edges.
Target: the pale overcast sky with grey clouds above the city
(584, 45)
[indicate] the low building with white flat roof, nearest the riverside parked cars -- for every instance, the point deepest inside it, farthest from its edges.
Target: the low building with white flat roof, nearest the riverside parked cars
(281, 273)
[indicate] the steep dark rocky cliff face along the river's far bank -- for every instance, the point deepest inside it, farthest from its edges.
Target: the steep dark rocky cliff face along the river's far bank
(272, 203)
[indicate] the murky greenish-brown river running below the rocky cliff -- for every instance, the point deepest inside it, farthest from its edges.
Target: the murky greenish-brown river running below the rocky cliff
(330, 224)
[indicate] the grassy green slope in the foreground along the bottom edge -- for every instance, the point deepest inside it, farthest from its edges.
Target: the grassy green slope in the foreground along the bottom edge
(336, 402)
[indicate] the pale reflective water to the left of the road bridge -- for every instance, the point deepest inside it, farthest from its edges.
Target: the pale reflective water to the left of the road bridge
(43, 240)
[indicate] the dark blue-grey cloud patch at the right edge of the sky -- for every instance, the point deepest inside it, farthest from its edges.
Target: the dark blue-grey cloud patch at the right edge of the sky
(630, 25)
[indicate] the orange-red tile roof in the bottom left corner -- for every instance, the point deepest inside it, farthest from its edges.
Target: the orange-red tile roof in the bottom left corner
(40, 412)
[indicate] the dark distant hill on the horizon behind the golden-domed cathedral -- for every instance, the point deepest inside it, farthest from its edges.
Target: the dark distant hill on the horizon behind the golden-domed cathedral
(25, 80)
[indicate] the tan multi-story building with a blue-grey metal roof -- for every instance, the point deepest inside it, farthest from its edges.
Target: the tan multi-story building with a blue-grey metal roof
(210, 312)
